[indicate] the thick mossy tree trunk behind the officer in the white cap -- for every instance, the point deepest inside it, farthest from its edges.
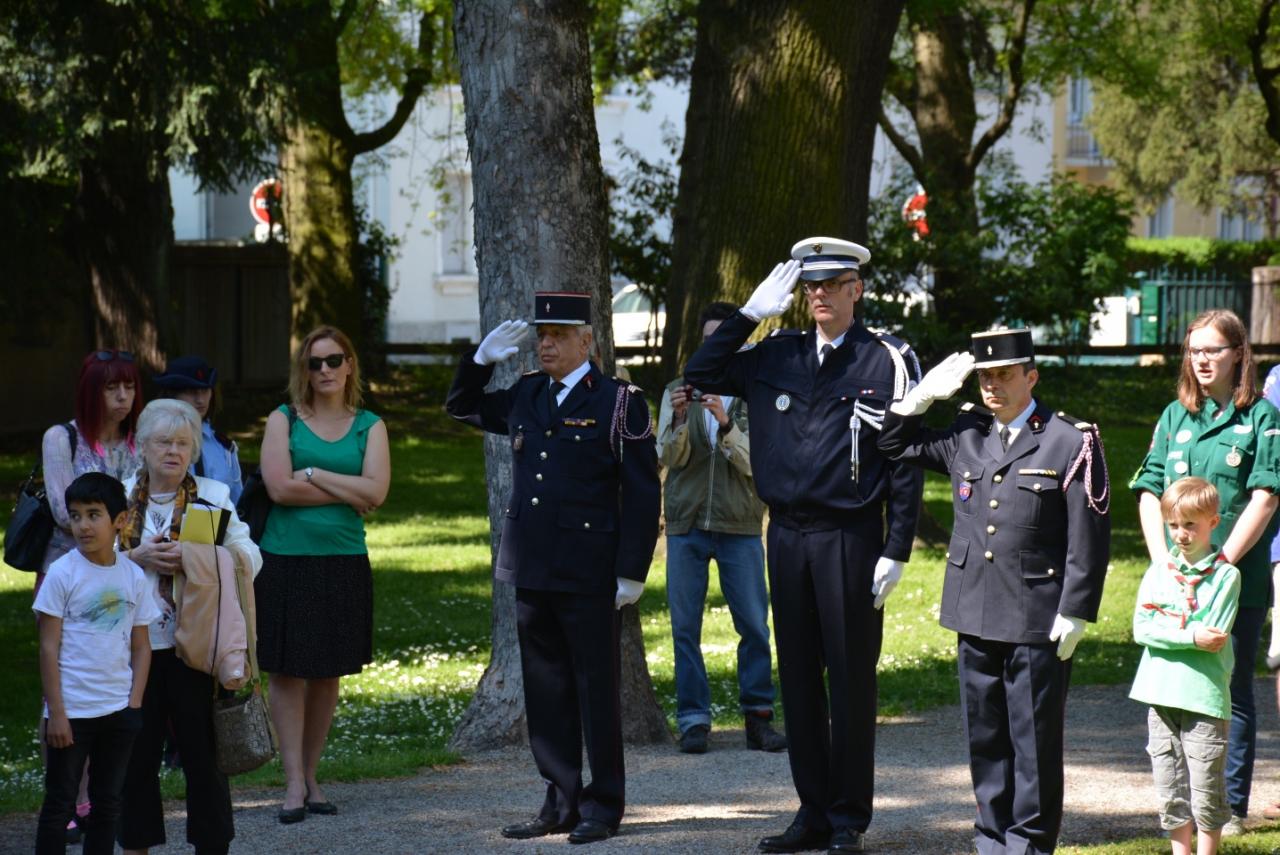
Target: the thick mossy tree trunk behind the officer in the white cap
(783, 106)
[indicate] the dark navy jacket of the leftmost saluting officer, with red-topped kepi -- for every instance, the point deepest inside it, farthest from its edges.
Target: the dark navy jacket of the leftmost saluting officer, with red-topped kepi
(578, 516)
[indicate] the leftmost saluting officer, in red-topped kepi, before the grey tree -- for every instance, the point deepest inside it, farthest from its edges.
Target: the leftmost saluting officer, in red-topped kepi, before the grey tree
(578, 539)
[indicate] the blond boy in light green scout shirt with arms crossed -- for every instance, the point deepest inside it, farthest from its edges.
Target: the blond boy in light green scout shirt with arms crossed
(1186, 607)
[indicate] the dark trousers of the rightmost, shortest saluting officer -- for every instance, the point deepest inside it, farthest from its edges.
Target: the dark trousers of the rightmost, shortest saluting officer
(1014, 707)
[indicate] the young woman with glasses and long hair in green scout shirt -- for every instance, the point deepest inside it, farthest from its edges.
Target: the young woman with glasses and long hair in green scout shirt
(1222, 431)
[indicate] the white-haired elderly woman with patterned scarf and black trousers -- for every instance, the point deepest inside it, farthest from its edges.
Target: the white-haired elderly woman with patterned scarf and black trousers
(170, 436)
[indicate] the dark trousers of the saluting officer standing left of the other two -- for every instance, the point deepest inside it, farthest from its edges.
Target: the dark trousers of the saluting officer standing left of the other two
(570, 660)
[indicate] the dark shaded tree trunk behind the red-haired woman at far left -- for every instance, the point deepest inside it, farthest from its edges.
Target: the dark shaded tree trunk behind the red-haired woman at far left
(122, 231)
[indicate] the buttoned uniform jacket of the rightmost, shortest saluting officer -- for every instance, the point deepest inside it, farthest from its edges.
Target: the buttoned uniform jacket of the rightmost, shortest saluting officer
(1026, 545)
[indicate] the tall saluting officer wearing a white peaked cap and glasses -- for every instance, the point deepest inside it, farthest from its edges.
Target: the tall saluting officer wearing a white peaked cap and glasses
(842, 520)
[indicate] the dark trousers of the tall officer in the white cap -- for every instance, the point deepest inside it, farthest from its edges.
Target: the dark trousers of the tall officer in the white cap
(825, 620)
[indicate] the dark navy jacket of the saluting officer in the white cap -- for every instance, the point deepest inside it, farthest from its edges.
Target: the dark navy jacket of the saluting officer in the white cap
(802, 442)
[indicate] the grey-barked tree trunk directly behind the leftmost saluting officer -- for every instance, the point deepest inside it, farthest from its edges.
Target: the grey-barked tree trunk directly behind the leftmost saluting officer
(541, 223)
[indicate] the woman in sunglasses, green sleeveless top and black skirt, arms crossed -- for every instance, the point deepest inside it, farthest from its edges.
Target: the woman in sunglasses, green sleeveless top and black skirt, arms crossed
(326, 469)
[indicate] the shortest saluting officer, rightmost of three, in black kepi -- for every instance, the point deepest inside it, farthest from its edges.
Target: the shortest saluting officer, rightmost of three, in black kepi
(1025, 573)
